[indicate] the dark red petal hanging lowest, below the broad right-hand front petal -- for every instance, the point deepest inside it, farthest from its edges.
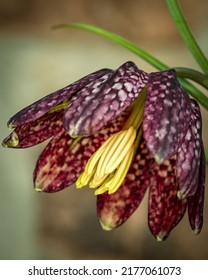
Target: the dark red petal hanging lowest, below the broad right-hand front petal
(165, 208)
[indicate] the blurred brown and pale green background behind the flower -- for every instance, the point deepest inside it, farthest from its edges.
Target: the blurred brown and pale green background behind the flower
(36, 60)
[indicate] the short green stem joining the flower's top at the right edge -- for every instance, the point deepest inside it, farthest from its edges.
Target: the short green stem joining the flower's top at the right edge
(193, 75)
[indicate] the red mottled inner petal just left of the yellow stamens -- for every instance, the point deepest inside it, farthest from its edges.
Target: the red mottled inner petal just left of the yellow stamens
(58, 165)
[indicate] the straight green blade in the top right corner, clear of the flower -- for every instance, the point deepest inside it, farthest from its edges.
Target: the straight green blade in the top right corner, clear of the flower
(187, 35)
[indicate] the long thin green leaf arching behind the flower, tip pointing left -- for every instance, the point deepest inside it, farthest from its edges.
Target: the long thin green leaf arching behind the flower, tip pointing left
(197, 94)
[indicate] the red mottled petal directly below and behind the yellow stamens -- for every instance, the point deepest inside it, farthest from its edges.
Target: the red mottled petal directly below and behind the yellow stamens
(114, 209)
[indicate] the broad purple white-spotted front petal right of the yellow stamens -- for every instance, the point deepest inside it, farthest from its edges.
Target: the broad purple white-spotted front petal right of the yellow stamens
(166, 114)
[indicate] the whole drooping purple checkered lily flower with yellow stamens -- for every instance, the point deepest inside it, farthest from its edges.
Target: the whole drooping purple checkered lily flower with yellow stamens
(121, 132)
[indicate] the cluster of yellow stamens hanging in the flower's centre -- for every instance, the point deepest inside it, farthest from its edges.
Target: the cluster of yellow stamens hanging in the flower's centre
(109, 165)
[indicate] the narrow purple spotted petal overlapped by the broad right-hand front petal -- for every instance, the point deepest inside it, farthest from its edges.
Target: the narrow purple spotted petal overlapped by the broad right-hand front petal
(188, 156)
